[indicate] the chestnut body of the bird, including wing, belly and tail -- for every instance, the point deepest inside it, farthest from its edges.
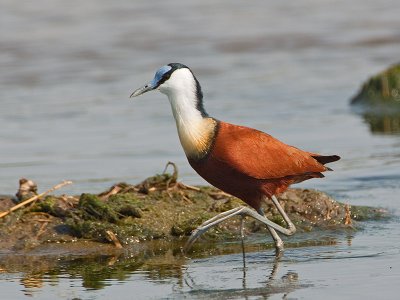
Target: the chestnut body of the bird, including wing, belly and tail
(251, 164)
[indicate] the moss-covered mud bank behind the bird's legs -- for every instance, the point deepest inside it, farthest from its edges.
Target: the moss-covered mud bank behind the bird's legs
(157, 209)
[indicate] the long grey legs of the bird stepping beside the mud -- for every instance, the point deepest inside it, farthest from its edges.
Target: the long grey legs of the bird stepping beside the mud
(245, 211)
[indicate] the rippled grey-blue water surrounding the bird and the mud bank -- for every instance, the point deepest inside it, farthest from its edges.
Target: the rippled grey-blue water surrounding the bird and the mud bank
(68, 68)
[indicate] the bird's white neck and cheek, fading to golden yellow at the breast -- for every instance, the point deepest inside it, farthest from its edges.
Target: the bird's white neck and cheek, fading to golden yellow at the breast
(194, 130)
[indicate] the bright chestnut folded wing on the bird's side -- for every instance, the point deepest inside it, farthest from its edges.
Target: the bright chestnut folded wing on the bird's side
(259, 155)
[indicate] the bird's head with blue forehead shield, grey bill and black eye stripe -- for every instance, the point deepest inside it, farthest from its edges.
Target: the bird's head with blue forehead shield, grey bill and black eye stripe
(170, 78)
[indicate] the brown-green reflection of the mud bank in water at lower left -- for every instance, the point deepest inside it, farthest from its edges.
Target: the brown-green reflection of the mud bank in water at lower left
(95, 272)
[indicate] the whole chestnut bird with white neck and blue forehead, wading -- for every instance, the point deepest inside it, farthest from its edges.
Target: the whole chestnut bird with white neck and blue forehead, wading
(241, 161)
